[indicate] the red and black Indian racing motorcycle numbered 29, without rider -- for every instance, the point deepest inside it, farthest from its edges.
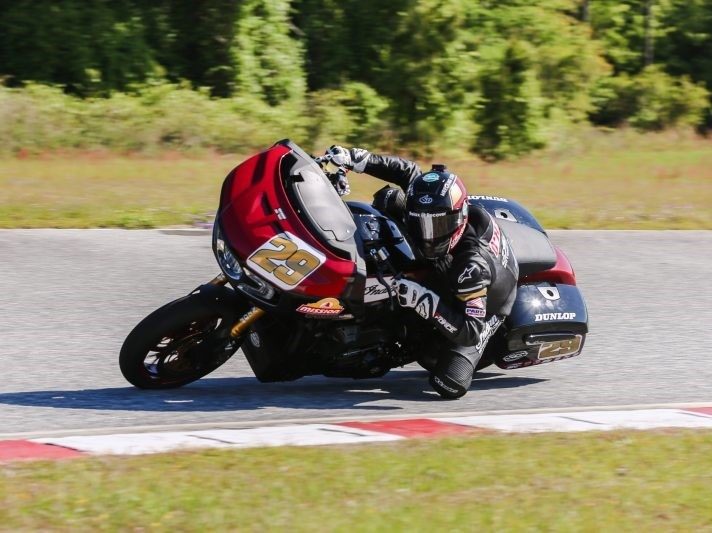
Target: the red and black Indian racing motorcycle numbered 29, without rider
(306, 286)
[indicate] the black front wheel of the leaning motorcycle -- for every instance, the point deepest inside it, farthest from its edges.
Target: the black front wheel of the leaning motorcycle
(181, 342)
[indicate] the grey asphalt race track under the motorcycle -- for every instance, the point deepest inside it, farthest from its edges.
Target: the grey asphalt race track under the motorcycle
(69, 297)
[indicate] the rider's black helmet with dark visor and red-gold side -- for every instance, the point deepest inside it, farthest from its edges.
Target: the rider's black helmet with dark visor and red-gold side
(436, 211)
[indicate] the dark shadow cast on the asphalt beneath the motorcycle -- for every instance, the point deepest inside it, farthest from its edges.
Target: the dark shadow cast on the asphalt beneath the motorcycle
(245, 393)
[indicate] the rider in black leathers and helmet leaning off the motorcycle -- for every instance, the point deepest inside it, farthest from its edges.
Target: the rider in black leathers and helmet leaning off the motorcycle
(472, 276)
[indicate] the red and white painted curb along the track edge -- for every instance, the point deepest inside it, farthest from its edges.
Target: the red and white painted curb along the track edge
(351, 432)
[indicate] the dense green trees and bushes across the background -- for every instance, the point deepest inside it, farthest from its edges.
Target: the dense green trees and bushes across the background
(494, 76)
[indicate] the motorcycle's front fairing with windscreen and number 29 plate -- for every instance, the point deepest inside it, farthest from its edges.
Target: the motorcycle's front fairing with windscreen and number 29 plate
(258, 215)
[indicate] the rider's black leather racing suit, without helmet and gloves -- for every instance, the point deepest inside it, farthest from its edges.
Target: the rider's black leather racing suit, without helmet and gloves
(476, 284)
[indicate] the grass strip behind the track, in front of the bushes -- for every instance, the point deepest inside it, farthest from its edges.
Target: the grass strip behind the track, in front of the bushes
(651, 183)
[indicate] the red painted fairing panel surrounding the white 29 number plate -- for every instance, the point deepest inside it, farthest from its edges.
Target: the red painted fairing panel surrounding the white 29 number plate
(254, 208)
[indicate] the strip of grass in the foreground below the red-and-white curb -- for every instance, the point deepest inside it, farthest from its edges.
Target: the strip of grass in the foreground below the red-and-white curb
(618, 481)
